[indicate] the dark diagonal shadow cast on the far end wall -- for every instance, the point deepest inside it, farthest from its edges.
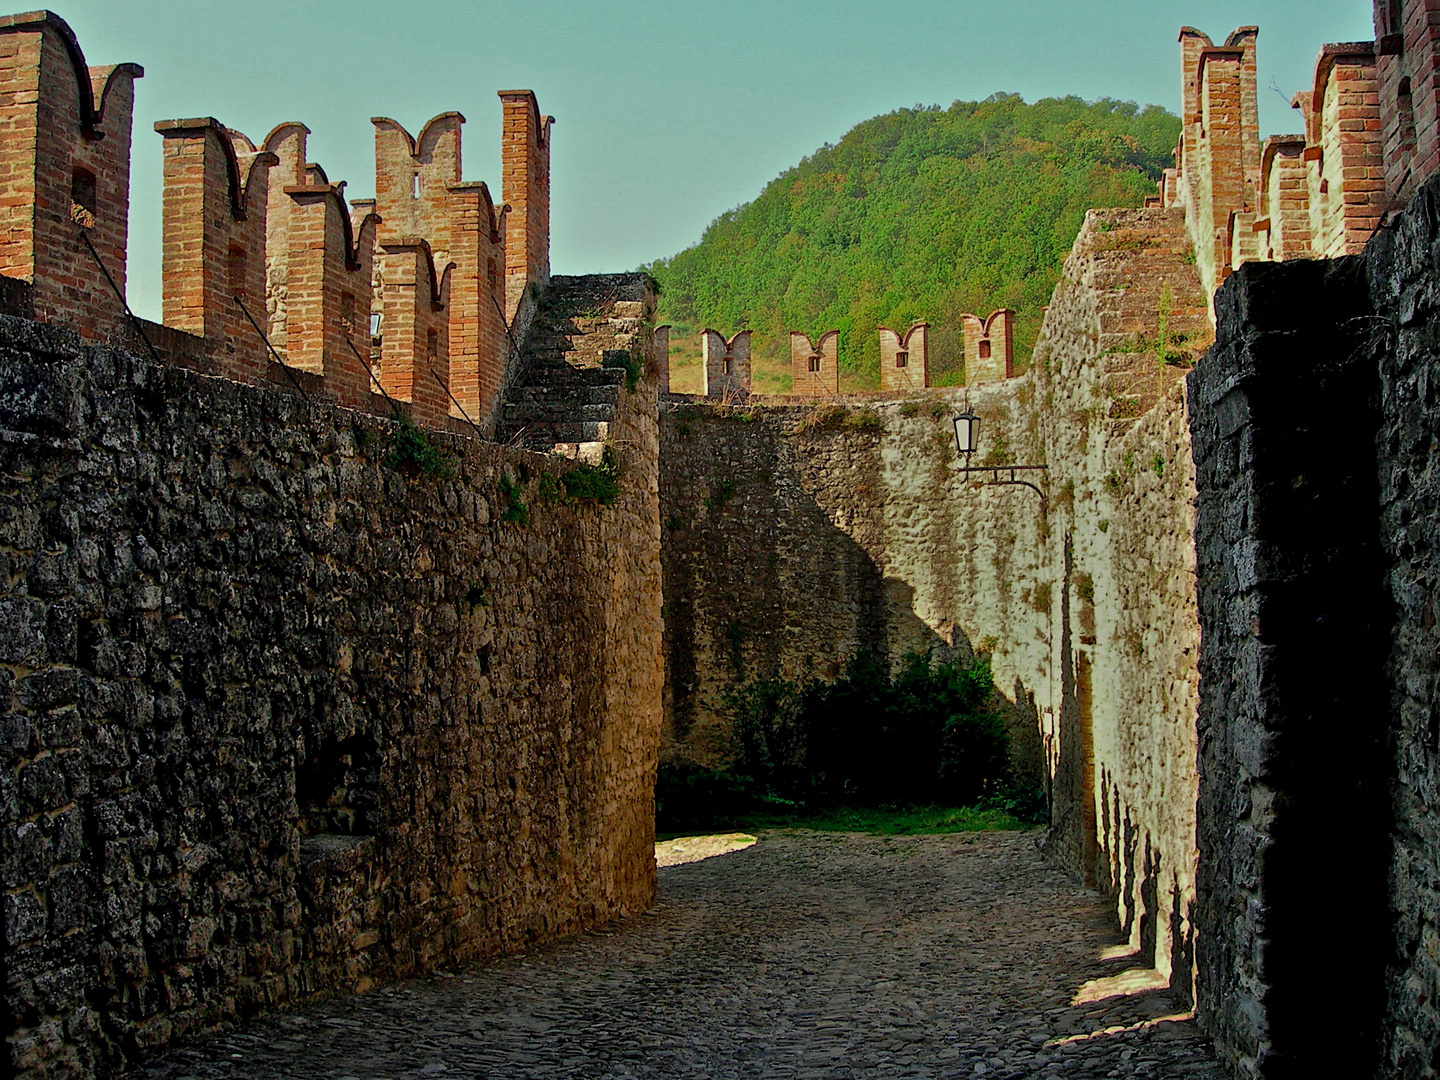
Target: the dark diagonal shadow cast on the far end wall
(761, 582)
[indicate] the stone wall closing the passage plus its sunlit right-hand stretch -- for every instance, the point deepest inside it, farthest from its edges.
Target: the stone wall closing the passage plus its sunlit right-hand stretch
(798, 535)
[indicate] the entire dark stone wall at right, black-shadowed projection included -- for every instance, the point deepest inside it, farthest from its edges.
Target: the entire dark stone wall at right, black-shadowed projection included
(1315, 424)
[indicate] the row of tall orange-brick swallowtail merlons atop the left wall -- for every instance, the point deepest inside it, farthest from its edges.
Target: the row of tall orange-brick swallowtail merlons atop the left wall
(418, 292)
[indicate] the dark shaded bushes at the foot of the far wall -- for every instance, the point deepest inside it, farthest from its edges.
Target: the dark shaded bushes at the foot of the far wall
(927, 735)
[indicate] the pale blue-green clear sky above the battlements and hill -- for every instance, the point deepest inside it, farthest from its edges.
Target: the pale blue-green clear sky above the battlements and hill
(667, 113)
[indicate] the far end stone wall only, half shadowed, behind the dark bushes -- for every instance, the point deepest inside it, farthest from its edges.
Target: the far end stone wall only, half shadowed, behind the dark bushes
(798, 535)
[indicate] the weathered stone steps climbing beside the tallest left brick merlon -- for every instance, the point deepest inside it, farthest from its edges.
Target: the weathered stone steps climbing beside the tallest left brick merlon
(564, 398)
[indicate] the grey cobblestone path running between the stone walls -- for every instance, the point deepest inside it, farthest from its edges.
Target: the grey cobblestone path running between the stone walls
(807, 955)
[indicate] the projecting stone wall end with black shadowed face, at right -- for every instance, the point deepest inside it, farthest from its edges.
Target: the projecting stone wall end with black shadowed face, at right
(1292, 718)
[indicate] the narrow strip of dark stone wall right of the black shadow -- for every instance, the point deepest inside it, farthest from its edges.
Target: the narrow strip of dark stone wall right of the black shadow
(1402, 264)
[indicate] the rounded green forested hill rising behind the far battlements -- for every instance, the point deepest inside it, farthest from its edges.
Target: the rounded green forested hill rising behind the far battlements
(921, 214)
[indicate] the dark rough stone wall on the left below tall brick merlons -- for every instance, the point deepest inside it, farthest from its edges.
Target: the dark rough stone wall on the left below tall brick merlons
(283, 721)
